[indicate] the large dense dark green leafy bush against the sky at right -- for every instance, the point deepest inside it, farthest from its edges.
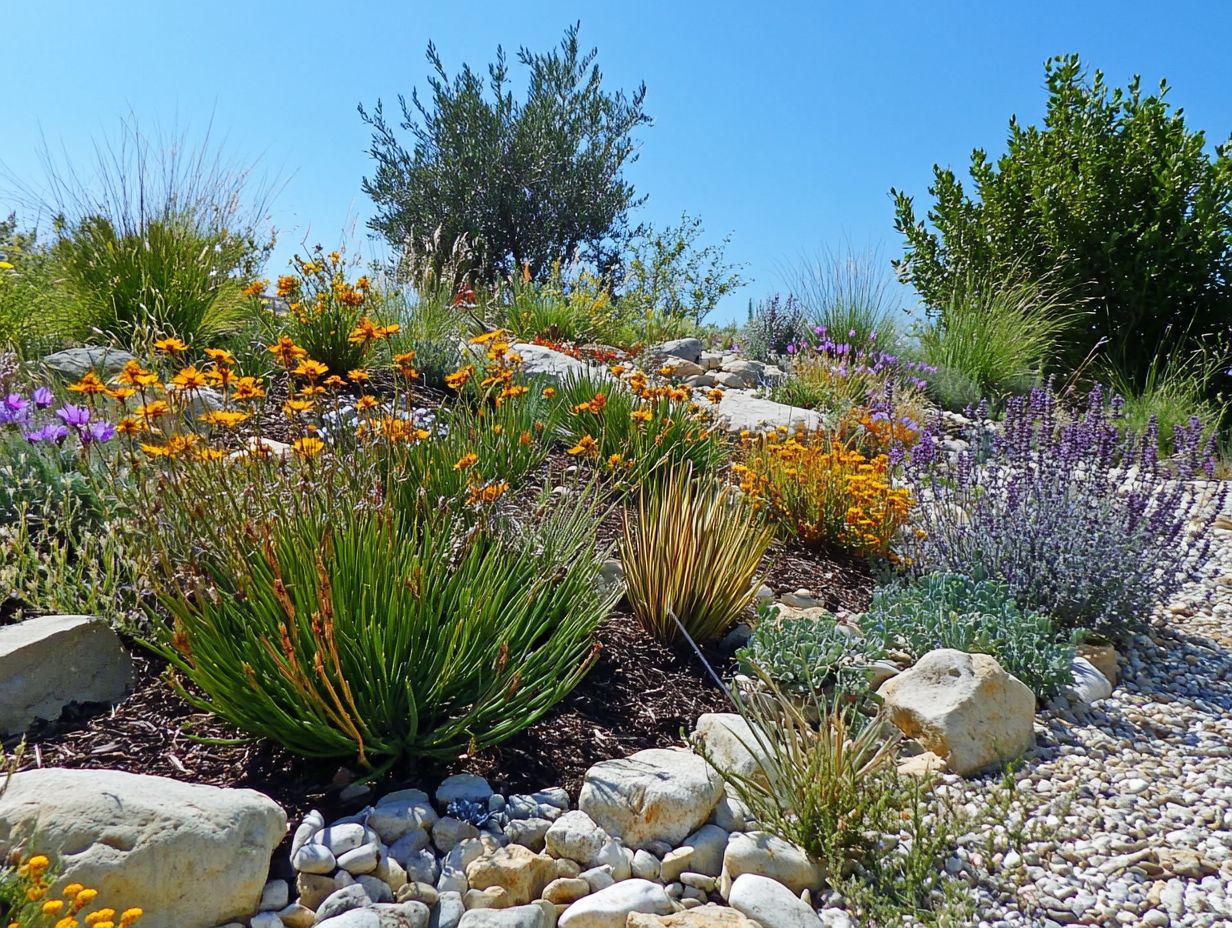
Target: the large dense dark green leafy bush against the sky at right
(1113, 200)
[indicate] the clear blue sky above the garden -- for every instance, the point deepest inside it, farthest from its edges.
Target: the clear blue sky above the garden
(783, 124)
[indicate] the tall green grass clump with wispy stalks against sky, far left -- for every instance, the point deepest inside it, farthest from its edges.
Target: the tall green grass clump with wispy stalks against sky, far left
(155, 242)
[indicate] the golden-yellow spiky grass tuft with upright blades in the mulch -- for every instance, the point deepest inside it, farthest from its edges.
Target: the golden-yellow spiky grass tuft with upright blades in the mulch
(693, 555)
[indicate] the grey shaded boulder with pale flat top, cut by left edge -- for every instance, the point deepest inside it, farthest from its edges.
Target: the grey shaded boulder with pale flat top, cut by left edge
(55, 660)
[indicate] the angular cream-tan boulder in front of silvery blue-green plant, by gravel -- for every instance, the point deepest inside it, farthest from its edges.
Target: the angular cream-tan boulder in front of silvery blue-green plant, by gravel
(964, 708)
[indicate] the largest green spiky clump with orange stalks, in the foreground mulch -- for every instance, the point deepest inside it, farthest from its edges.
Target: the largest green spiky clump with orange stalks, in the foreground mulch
(387, 637)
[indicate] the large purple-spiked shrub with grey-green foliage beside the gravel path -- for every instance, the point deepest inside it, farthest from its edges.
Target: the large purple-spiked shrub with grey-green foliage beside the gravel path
(1080, 517)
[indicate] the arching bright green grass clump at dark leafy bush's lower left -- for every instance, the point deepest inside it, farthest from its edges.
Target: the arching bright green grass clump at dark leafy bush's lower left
(994, 337)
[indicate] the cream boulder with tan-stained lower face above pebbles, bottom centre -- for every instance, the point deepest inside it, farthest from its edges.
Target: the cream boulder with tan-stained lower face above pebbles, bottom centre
(661, 794)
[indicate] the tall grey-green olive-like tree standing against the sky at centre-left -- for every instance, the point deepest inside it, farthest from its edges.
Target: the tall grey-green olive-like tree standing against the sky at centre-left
(524, 183)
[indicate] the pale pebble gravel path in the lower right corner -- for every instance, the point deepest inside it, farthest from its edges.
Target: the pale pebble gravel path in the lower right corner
(1124, 814)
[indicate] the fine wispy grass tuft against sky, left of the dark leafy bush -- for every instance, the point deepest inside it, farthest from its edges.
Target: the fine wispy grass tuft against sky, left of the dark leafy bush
(851, 294)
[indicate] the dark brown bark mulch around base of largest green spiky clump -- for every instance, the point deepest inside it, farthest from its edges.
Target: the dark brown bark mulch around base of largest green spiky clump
(639, 696)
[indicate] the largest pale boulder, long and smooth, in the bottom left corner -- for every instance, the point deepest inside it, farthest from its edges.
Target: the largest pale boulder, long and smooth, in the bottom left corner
(192, 856)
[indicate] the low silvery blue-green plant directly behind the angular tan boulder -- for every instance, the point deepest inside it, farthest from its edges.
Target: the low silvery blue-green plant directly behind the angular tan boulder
(978, 617)
